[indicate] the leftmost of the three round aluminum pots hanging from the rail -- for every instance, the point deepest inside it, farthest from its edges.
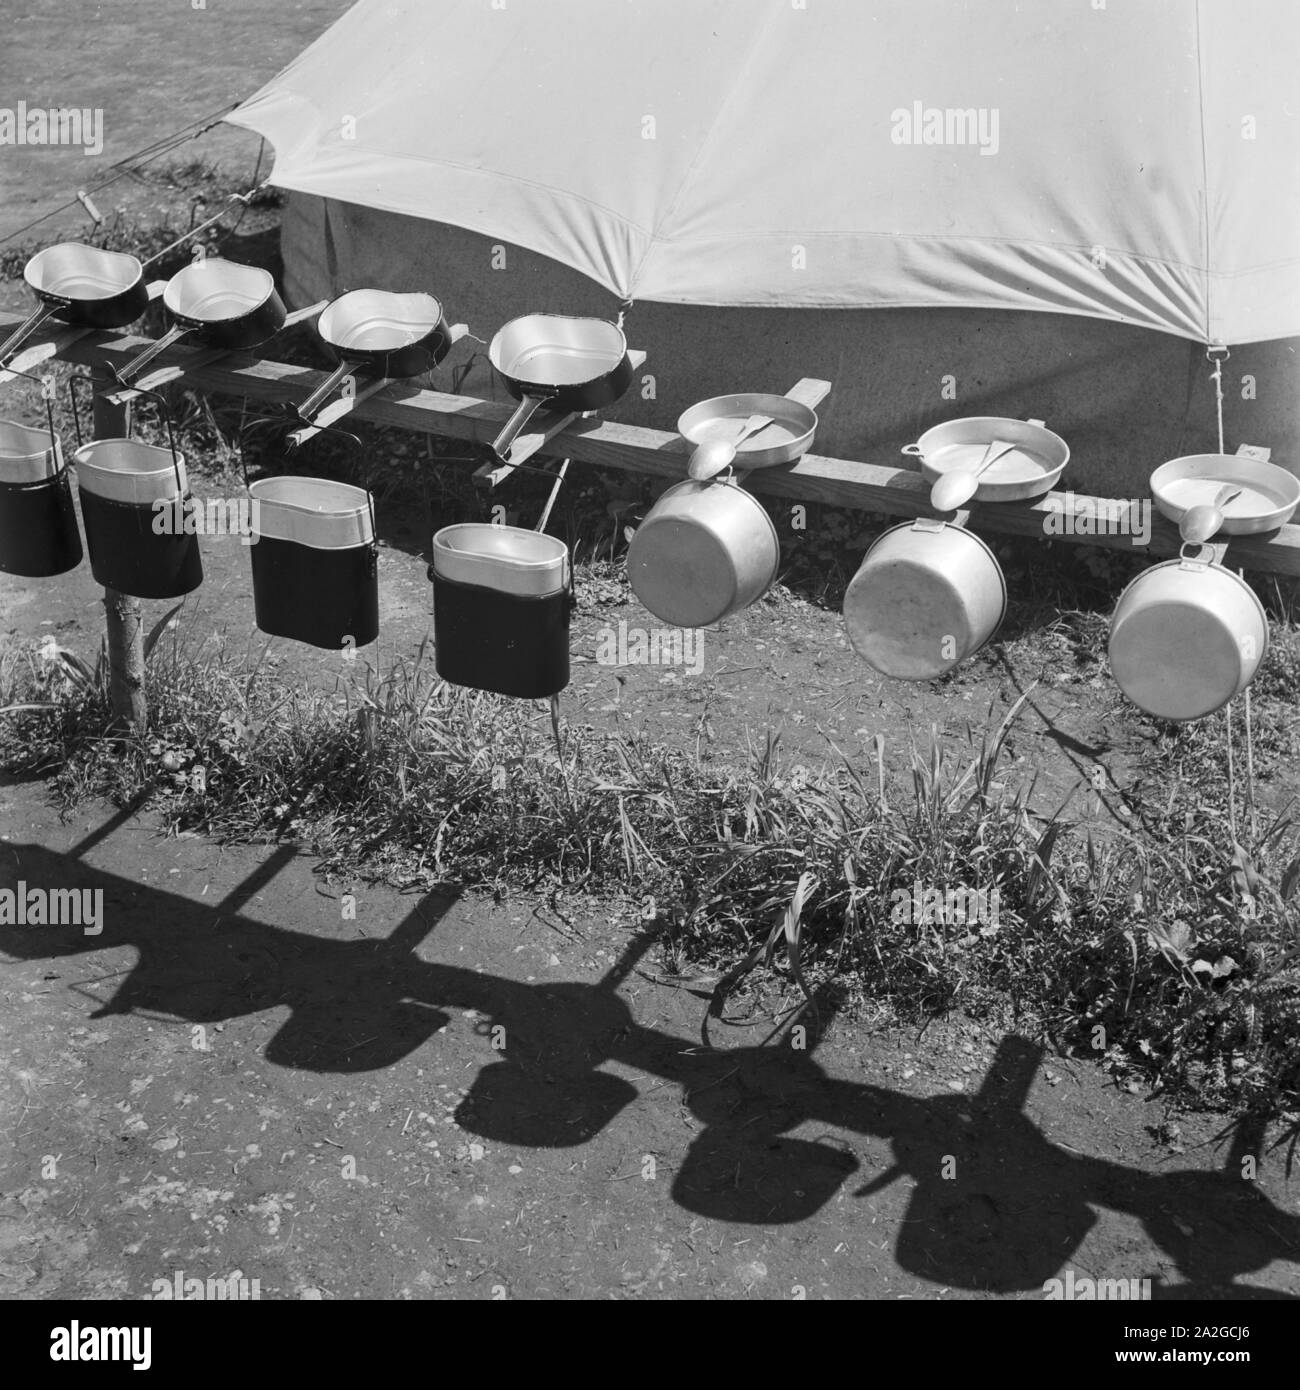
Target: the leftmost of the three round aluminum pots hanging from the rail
(704, 551)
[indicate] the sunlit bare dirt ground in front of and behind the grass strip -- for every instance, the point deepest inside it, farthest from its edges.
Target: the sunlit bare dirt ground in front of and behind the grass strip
(236, 1075)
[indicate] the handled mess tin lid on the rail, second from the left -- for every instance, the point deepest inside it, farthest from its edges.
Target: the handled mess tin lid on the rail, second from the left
(226, 305)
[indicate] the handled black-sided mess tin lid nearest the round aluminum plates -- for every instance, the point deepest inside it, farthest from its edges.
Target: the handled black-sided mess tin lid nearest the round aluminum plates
(571, 365)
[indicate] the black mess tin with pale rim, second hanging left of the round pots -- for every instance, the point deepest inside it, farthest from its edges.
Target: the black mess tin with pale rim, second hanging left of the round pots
(315, 562)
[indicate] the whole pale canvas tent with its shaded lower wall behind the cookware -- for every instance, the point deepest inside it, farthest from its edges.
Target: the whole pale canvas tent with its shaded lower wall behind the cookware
(945, 206)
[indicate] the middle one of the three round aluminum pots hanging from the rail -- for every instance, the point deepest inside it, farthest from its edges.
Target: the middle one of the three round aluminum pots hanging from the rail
(927, 597)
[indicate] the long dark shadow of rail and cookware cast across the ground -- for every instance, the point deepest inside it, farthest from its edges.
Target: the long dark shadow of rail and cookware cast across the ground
(995, 1206)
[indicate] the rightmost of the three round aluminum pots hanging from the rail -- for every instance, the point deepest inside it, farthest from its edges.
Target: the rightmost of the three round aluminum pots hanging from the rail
(1187, 637)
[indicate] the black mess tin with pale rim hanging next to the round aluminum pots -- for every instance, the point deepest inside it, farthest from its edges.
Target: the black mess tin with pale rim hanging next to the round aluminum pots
(503, 601)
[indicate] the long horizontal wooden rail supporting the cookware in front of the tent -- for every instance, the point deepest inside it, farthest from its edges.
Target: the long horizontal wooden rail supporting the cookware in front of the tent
(843, 483)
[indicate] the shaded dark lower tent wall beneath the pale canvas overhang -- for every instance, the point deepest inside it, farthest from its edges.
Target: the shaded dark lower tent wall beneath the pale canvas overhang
(1124, 398)
